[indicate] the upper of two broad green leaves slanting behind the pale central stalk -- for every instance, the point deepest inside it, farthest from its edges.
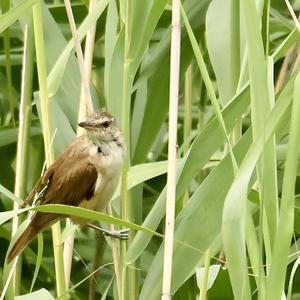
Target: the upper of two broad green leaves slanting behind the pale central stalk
(195, 159)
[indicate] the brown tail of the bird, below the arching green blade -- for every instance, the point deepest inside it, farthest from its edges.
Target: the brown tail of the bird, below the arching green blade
(37, 224)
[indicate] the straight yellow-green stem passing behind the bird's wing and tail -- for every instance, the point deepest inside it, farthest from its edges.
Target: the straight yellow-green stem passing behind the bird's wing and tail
(46, 126)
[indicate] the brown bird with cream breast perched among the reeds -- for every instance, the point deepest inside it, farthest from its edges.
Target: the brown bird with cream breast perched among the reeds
(86, 174)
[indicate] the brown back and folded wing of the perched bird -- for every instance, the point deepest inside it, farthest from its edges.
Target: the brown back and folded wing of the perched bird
(70, 179)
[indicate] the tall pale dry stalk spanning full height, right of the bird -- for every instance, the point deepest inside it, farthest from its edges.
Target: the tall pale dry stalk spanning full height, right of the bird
(172, 150)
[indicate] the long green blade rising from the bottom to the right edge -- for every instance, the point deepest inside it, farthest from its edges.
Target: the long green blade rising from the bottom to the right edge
(284, 233)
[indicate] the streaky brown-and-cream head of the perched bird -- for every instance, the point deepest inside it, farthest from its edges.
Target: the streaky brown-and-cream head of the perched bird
(102, 127)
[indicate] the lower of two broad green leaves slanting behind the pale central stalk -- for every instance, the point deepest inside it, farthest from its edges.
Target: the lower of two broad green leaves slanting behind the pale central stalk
(207, 203)
